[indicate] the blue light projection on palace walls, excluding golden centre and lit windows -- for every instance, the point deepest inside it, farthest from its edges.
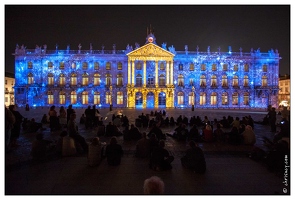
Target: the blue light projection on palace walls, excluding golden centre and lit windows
(253, 95)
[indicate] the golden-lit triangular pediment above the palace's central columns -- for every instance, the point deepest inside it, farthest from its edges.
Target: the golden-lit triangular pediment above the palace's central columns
(150, 50)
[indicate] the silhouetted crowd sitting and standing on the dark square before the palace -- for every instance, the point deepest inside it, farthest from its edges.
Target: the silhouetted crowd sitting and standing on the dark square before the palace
(149, 145)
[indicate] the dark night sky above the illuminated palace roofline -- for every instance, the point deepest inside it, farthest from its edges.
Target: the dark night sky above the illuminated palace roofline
(246, 26)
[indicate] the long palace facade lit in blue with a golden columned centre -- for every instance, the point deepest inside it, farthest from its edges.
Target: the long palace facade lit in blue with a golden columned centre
(149, 76)
